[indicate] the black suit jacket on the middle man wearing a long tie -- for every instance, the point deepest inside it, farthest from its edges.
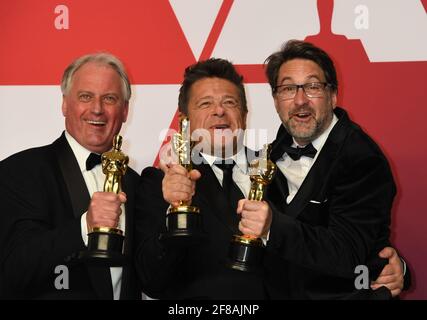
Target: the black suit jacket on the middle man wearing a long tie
(194, 272)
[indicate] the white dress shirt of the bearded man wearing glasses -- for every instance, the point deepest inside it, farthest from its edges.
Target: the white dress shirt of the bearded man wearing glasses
(295, 171)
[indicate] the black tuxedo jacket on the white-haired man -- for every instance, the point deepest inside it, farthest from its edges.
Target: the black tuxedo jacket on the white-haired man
(43, 195)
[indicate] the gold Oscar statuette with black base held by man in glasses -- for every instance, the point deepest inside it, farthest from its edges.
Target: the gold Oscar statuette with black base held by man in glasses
(246, 252)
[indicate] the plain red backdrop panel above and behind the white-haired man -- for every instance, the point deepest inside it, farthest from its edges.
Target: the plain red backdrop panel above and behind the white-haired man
(144, 34)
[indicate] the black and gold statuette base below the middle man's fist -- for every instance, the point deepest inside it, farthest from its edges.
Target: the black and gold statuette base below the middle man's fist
(184, 227)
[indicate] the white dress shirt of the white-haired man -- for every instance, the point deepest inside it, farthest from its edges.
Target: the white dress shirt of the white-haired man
(95, 182)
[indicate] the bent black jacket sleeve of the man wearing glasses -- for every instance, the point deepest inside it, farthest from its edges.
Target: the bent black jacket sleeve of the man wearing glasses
(357, 212)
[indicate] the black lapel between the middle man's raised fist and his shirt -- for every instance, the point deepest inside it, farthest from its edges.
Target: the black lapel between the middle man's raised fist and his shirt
(213, 195)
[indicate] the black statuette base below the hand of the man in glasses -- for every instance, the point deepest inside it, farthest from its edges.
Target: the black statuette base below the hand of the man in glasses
(245, 254)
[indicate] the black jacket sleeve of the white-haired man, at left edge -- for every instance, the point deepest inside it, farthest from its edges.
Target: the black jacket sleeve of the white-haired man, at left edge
(33, 238)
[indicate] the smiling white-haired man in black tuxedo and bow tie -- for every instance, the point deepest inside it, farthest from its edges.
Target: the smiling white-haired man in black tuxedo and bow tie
(52, 196)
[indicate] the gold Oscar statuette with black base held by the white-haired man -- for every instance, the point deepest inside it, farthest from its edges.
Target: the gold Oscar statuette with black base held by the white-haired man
(105, 244)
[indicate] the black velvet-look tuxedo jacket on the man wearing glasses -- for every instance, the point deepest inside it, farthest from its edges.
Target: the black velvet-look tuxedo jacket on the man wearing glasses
(338, 219)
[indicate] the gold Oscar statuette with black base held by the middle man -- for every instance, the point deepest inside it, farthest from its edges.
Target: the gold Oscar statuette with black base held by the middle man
(184, 222)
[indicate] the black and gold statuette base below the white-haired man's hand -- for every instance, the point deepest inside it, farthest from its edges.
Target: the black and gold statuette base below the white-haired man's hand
(105, 247)
